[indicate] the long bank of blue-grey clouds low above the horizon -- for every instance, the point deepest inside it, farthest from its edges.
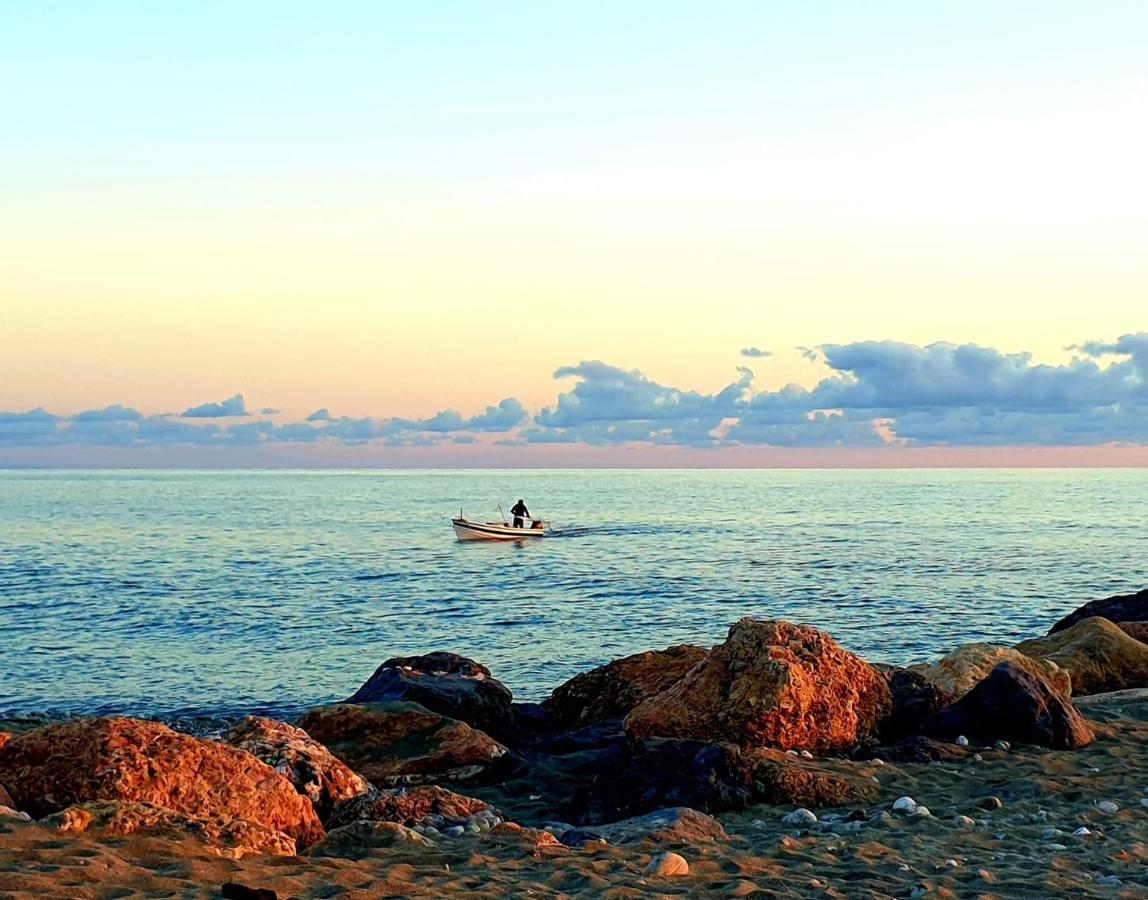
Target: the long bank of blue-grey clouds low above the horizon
(875, 394)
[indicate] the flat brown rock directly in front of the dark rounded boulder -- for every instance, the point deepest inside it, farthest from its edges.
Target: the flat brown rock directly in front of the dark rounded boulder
(404, 742)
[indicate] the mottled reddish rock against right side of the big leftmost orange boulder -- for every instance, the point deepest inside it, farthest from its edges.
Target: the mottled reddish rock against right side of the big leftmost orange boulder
(309, 766)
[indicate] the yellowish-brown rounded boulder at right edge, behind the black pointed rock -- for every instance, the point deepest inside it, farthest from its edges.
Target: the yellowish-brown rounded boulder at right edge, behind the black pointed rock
(1099, 656)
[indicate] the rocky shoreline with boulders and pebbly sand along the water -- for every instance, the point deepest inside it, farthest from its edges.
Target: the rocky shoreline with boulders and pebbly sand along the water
(777, 763)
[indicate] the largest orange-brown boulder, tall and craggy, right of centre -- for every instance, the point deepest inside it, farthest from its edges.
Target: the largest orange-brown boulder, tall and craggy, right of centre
(772, 685)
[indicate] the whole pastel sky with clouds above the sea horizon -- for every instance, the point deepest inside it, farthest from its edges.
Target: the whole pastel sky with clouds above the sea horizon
(649, 234)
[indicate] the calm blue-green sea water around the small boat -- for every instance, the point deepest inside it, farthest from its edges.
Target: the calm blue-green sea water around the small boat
(216, 593)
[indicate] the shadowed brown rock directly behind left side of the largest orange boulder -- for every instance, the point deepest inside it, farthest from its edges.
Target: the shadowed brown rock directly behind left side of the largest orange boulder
(612, 690)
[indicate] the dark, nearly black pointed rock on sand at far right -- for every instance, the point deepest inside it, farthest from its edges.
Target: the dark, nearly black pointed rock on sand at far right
(1015, 705)
